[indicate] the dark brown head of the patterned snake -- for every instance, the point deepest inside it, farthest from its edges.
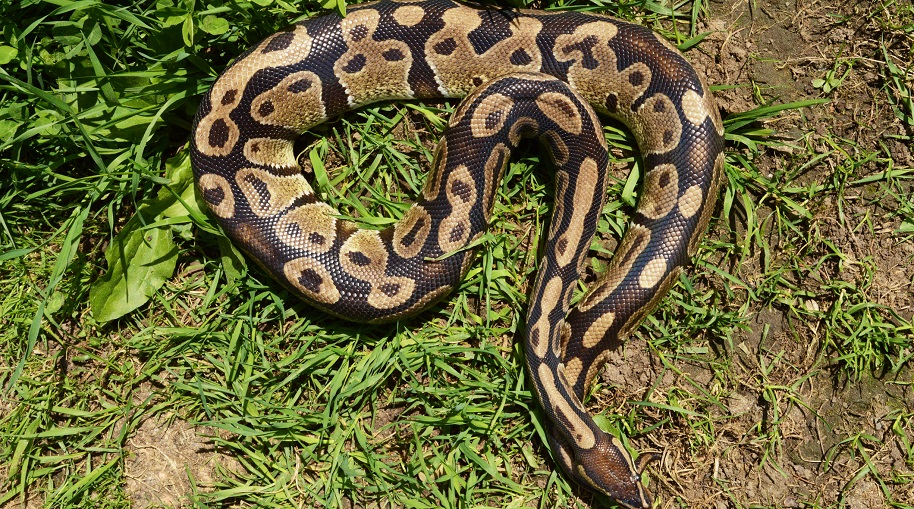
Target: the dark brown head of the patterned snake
(607, 468)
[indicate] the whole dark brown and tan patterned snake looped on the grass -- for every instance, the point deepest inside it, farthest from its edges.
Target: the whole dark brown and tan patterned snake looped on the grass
(525, 74)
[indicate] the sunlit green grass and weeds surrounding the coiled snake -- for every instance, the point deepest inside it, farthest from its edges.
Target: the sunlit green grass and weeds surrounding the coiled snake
(756, 362)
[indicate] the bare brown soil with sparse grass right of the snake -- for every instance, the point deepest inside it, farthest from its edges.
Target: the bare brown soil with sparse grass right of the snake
(794, 430)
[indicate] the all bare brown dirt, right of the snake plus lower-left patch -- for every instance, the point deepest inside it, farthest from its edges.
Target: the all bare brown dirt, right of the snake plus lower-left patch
(776, 48)
